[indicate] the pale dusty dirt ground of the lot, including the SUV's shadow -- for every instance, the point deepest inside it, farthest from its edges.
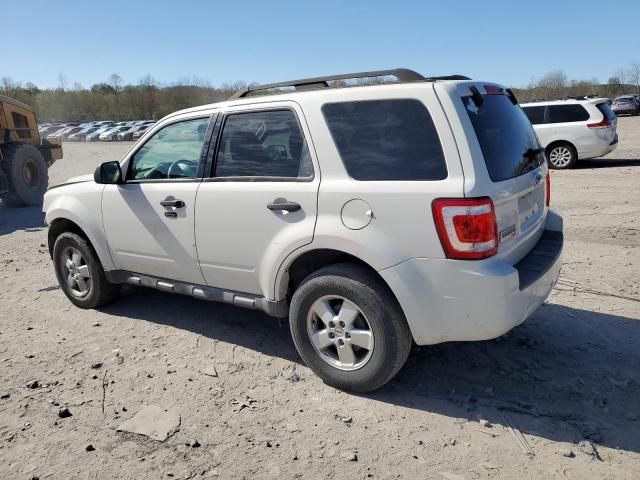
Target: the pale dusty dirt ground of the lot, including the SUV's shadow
(560, 393)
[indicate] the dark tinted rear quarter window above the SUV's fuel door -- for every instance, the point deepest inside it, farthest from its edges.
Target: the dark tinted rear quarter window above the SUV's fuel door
(386, 140)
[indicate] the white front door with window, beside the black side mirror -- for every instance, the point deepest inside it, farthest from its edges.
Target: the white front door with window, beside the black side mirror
(149, 219)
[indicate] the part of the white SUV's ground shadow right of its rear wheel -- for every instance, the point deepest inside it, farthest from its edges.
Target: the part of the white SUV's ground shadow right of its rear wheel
(566, 375)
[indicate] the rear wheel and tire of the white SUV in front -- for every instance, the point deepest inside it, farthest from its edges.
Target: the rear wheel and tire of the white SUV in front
(378, 312)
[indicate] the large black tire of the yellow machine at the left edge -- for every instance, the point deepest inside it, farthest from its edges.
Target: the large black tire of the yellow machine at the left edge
(27, 174)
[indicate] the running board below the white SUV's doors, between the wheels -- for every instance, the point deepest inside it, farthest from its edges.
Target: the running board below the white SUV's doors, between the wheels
(274, 308)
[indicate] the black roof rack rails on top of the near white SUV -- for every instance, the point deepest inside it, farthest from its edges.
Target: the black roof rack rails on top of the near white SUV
(403, 75)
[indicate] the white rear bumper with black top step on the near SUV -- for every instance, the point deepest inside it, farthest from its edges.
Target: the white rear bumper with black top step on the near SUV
(447, 300)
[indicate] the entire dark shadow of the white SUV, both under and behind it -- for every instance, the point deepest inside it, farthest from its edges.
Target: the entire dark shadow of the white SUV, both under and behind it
(566, 374)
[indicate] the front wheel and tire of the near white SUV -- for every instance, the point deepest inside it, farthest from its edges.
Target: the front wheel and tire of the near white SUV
(91, 289)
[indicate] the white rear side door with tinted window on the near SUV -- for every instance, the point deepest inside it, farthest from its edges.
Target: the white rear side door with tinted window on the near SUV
(259, 202)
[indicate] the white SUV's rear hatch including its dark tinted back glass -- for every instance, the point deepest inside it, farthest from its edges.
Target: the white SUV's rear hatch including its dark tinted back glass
(502, 159)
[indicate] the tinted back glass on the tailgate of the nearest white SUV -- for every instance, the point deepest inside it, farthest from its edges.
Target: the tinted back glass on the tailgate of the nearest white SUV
(509, 145)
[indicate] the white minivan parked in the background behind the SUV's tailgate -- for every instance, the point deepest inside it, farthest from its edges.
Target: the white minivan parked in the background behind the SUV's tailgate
(571, 130)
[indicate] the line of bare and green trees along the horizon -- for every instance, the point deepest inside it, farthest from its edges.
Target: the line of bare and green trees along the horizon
(148, 99)
